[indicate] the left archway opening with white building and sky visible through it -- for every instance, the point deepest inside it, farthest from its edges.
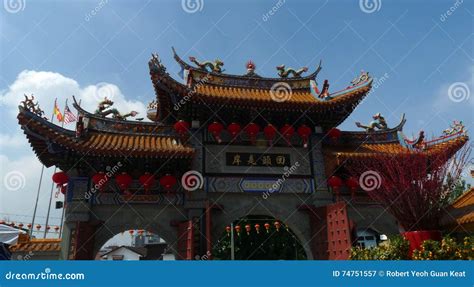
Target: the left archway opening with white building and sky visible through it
(135, 244)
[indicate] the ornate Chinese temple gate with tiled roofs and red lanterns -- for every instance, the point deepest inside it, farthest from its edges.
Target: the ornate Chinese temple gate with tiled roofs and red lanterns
(217, 148)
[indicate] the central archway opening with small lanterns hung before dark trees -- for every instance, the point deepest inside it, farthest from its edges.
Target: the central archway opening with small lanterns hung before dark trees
(258, 237)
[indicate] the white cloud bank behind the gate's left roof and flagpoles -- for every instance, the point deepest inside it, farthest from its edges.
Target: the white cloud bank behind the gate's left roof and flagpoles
(19, 168)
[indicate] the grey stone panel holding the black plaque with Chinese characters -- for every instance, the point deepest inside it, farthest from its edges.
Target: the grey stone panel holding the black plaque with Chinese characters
(232, 159)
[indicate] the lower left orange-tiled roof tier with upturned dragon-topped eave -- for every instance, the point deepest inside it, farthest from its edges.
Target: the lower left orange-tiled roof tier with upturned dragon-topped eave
(51, 142)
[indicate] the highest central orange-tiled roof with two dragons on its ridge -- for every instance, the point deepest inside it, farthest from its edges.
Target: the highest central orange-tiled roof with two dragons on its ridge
(291, 95)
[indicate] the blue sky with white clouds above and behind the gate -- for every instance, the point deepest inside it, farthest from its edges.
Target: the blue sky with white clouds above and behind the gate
(421, 52)
